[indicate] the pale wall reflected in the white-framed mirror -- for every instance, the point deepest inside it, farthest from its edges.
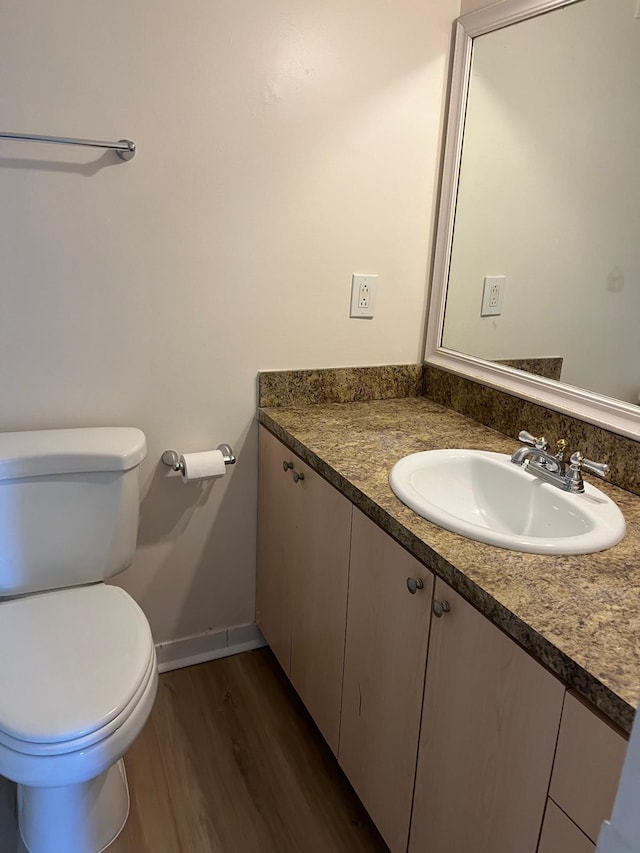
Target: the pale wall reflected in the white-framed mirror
(549, 196)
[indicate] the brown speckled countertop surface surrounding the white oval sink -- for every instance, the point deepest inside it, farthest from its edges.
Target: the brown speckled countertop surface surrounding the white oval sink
(578, 615)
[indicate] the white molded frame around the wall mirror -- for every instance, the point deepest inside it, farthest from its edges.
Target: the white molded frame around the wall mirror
(607, 412)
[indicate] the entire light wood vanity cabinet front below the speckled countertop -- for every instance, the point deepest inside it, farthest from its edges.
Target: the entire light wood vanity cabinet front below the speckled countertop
(389, 676)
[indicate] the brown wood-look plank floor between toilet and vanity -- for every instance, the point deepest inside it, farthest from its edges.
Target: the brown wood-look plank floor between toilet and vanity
(230, 762)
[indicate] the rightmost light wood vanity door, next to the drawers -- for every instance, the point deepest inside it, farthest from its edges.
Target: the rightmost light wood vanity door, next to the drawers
(489, 727)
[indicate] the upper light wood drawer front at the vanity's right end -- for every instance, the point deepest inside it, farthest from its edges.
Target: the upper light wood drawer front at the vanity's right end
(587, 766)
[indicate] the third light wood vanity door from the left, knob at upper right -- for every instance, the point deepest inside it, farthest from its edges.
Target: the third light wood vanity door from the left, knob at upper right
(384, 669)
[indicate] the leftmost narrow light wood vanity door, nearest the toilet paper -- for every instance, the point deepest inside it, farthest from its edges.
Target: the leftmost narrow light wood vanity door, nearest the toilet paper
(275, 547)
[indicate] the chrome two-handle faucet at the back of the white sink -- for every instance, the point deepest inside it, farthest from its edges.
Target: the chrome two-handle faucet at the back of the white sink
(536, 459)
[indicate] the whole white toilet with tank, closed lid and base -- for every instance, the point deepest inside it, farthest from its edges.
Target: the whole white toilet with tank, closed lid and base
(78, 673)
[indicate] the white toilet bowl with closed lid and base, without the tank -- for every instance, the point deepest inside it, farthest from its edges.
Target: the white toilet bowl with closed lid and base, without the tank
(89, 652)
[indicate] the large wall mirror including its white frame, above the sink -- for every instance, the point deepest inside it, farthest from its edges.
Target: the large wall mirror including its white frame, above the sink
(540, 208)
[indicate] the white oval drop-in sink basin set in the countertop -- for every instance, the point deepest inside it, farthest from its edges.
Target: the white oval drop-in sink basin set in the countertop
(484, 496)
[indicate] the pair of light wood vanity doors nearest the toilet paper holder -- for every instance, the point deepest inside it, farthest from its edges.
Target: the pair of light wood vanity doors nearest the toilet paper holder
(304, 530)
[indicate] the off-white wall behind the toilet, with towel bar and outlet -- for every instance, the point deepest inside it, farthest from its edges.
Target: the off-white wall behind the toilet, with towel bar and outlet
(282, 145)
